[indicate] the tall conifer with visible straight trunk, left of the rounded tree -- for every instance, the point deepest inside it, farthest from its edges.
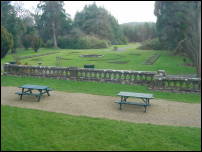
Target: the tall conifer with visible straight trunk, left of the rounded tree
(52, 20)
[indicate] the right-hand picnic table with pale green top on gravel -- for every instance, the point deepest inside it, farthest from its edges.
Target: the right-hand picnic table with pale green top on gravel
(125, 95)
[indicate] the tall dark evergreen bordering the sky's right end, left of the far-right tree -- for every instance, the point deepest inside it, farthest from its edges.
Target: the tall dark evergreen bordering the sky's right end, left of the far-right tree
(171, 22)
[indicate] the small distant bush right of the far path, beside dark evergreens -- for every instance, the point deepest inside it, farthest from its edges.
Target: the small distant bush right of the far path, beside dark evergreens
(153, 44)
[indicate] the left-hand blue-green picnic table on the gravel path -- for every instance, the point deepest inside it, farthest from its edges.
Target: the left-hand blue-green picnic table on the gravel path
(27, 90)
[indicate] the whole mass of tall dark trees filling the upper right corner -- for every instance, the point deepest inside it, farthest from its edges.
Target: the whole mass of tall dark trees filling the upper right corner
(179, 28)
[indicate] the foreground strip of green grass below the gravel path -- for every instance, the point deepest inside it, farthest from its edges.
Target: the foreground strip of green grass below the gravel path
(26, 130)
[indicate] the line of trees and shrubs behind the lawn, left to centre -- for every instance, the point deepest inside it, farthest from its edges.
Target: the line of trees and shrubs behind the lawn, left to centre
(51, 26)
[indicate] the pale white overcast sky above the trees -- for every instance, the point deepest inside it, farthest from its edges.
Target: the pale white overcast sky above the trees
(123, 11)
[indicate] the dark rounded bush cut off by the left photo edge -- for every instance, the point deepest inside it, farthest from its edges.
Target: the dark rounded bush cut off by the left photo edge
(6, 41)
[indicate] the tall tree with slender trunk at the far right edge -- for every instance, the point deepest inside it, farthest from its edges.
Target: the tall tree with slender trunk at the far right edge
(191, 43)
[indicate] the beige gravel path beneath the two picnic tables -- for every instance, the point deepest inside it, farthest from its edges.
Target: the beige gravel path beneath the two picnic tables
(160, 112)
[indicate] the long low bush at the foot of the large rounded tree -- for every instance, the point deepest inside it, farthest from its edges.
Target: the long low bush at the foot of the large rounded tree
(84, 42)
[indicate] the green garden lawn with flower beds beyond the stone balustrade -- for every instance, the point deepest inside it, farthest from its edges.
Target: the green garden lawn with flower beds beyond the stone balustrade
(133, 58)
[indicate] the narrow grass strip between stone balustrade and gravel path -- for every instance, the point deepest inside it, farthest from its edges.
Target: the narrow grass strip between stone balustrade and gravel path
(98, 88)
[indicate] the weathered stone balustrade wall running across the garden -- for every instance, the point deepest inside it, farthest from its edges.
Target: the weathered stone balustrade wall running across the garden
(154, 80)
